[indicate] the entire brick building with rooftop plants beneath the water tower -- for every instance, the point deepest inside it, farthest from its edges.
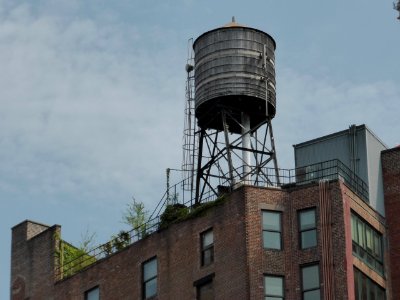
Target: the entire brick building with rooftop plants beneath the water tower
(315, 237)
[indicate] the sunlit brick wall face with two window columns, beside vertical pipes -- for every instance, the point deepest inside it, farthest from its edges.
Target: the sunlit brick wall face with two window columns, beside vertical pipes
(288, 261)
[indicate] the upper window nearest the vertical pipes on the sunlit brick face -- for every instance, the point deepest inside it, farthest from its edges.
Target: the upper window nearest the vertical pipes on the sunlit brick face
(307, 228)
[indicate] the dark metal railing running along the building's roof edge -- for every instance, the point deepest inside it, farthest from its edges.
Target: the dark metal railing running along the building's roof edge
(328, 170)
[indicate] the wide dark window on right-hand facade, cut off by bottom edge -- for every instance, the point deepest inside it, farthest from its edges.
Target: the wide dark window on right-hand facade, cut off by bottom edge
(365, 288)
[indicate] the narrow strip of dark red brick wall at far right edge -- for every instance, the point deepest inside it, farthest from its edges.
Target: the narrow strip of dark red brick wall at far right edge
(391, 186)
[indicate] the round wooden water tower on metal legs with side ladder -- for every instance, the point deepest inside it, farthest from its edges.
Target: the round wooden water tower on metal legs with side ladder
(231, 92)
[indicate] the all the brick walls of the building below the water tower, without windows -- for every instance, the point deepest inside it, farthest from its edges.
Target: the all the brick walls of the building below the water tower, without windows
(240, 259)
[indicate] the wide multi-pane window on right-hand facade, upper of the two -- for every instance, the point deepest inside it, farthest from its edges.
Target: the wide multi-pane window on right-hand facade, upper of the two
(367, 243)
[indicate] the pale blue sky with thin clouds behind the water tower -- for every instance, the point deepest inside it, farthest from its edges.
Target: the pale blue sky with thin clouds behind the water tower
(92, 96)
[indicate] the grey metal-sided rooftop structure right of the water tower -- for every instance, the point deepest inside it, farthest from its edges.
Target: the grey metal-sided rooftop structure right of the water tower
(358, 148)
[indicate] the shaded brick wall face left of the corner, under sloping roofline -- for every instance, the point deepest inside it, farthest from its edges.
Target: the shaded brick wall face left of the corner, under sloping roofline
(178, 251)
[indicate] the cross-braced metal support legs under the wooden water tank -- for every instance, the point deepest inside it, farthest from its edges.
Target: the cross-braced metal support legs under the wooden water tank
(249, 157)
